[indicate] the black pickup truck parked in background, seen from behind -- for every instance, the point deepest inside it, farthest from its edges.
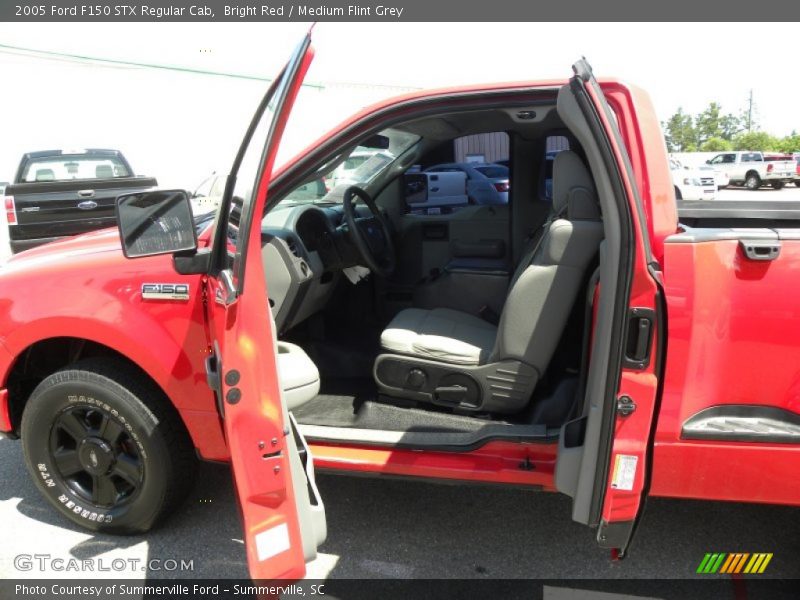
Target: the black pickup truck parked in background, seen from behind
(61, 193)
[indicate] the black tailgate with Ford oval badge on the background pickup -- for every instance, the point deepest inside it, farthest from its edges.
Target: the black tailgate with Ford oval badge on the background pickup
(58, 209)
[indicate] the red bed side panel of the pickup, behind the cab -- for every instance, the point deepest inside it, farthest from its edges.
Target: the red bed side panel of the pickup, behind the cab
(731, 400)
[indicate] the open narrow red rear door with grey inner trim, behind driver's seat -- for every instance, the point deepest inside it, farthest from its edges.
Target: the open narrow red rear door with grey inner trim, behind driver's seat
(604, 454)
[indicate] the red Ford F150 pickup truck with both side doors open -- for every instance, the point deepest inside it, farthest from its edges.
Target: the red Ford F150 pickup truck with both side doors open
(591, 345)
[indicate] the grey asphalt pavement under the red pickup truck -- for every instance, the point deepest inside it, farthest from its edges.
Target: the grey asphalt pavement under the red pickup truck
(385, 528)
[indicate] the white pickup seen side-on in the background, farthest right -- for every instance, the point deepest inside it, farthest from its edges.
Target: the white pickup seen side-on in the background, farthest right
(754, 169)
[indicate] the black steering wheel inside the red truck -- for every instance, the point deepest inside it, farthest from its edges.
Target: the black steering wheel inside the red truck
(370, 235)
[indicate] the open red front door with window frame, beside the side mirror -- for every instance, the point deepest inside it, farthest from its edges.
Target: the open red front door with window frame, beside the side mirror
(283, 516)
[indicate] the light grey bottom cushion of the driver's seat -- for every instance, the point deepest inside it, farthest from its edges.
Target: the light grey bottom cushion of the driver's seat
(440, 334)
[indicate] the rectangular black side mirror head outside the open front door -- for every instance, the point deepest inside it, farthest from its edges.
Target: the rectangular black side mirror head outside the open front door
(156, 222)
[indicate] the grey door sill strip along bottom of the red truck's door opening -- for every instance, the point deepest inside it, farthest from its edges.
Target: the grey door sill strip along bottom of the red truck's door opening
(434, 441)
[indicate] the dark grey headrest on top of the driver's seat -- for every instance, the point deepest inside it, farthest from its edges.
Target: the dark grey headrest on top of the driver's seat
(573, 188)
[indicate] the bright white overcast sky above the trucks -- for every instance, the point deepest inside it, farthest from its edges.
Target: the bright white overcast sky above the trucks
(179, 125)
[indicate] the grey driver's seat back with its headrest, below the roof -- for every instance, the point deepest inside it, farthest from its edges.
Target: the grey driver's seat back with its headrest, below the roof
(553, 268)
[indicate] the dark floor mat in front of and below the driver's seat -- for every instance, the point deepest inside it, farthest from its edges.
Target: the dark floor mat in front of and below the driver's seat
(353, 403)
